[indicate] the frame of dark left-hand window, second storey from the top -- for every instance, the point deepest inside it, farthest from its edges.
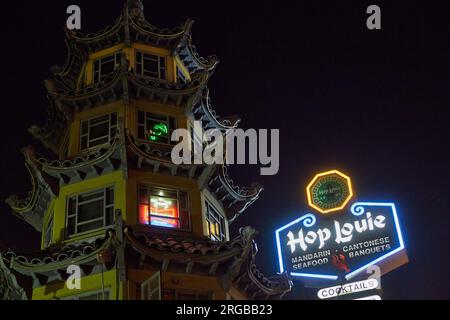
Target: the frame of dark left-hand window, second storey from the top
(89, 143)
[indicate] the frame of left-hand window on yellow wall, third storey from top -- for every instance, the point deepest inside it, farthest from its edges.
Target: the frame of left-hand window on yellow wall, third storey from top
(104, 217)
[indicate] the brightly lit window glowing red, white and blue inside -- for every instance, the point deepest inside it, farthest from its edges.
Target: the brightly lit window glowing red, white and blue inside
(163, 208)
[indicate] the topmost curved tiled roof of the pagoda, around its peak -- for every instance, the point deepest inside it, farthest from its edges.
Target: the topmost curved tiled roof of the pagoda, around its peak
(131, 26)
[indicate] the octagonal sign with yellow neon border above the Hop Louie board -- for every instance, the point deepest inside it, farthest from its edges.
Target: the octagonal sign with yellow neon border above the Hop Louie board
(329, 191)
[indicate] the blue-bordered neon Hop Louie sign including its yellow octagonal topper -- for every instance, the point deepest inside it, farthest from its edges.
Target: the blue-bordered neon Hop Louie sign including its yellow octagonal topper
(343, 244)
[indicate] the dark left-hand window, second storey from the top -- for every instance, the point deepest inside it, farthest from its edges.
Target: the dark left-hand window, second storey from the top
(98, 131)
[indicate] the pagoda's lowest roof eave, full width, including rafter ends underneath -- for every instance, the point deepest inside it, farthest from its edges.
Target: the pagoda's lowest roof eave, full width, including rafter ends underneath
(233, 262)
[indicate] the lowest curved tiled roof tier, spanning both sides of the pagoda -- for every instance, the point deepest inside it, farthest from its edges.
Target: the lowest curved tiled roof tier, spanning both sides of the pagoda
(237, 258)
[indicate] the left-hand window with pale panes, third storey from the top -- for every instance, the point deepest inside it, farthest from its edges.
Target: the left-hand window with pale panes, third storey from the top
(90, 211)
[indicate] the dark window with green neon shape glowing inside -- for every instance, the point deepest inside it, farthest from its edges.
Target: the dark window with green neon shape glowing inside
(155, 128)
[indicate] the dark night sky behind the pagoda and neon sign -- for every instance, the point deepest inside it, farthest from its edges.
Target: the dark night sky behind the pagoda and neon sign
(374, 104)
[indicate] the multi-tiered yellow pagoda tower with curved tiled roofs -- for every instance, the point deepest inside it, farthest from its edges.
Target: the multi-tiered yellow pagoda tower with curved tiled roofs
(110, 202)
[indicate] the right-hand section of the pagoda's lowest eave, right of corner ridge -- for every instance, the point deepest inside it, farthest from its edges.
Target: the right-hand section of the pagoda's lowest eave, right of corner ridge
(233, 261)
